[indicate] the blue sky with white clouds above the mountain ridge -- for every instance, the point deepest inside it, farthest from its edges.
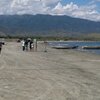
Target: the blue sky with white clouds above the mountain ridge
(86, 9)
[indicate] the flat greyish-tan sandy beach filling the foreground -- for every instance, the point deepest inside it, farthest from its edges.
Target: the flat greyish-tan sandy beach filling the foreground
(55, 75)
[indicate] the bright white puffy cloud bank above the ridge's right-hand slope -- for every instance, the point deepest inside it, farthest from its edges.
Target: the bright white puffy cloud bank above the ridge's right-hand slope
(71, 9)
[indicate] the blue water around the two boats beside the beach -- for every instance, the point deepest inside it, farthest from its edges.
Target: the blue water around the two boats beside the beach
(79, 44)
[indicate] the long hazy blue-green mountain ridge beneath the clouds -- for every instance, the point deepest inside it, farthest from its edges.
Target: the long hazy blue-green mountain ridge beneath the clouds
(46, 25)
